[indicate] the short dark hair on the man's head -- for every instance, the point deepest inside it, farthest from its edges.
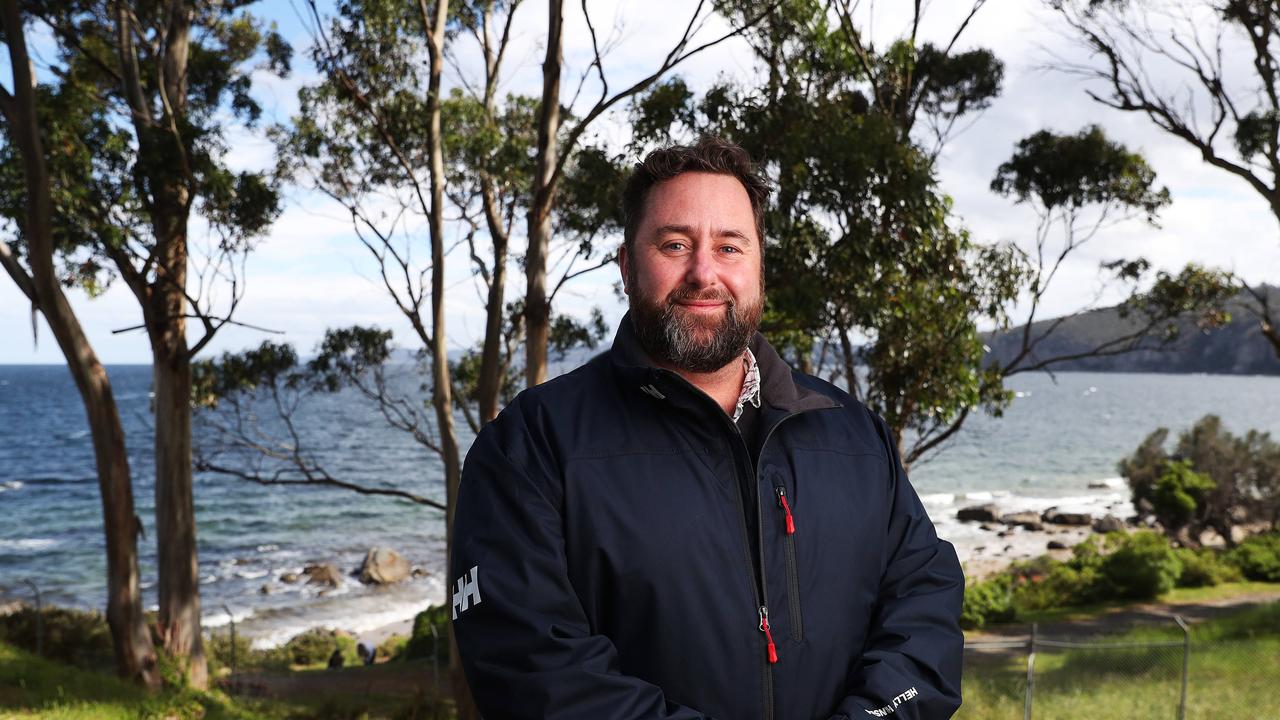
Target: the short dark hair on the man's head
(708, 156)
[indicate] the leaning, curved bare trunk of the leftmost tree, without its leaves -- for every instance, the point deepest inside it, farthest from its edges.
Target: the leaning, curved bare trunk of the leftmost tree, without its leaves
(135, 654)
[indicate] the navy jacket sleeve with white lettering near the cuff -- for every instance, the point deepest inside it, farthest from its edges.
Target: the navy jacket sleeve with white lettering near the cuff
(912, 662)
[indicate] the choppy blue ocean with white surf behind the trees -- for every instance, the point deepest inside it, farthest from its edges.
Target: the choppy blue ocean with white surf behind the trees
(1058, 445)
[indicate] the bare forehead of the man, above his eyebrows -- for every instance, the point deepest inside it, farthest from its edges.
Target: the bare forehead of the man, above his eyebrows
(700, 200)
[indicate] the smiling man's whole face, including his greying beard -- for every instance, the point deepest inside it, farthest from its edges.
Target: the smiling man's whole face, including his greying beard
(694, 276)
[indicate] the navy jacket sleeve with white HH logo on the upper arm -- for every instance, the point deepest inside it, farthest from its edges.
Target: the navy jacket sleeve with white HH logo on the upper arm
(524, 639)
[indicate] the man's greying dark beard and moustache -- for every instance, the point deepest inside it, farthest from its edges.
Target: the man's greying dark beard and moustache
(691, 341)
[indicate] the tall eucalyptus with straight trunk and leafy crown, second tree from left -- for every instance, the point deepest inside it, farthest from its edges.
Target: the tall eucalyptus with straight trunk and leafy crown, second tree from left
(163, 84)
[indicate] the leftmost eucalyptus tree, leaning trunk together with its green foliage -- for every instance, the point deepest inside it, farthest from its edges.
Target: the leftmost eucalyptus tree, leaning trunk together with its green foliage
(31, 208)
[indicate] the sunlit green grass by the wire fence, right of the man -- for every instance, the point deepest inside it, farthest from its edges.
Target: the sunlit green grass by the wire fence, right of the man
(1233, 671)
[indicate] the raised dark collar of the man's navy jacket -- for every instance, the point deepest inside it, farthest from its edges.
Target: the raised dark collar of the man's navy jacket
(778, 384)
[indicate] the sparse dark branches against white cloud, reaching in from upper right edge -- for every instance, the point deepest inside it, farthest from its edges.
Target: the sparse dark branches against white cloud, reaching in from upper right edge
(1205, 72)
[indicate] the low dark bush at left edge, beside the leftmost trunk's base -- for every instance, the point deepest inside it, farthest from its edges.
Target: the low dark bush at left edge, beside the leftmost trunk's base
(75, 637)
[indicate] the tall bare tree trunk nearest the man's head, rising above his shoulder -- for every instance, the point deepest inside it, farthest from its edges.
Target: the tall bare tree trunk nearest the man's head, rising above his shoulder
(537, 306)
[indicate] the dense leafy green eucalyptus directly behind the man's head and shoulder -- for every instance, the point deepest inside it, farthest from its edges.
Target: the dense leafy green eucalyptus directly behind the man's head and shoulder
(849, 133)
